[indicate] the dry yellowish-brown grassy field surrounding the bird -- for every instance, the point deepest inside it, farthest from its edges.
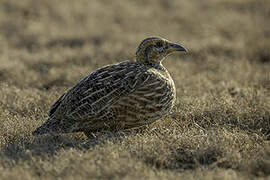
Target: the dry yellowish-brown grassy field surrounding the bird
(219, 129)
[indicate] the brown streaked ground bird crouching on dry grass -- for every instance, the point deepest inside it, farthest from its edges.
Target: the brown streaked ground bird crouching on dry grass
(116, 97)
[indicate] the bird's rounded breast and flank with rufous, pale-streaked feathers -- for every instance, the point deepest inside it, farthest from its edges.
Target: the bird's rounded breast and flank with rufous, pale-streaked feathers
(149, 102)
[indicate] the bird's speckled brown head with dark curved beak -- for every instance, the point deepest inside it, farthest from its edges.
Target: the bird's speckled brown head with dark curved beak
(153, 50)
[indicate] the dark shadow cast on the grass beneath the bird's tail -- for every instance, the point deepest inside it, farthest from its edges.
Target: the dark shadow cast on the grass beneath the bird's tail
(50, 145)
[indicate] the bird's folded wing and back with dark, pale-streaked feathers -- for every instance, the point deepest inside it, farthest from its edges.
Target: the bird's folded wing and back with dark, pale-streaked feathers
(101, 89)
